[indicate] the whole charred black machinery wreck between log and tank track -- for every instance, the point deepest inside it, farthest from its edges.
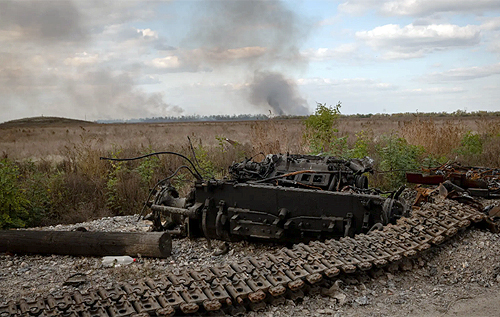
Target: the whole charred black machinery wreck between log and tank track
(284, 198)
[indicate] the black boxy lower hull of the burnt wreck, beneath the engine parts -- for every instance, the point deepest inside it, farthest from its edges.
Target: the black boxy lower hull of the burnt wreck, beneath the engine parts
(228, 210)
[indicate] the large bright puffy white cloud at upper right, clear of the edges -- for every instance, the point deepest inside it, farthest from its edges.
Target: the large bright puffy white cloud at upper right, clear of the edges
(413, 41)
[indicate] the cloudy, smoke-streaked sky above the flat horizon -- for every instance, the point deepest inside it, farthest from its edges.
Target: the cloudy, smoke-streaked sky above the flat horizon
(99, 59)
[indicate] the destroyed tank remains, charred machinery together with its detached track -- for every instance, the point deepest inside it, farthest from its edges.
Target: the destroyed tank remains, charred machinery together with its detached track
(254, 281)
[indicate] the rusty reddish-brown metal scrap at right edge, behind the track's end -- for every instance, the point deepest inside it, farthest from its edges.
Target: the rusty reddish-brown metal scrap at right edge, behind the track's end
(478, 181)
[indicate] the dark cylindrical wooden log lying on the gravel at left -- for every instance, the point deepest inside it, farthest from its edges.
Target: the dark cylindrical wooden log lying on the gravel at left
(147, 244)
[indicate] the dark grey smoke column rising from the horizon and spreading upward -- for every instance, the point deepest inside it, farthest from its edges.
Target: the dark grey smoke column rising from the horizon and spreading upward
(261, 37)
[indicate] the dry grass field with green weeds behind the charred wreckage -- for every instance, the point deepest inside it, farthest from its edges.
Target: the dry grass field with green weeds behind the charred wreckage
(50, 169)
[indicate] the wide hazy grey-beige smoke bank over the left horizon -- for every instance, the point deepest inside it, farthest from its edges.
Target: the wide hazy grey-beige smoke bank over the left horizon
(44, 67)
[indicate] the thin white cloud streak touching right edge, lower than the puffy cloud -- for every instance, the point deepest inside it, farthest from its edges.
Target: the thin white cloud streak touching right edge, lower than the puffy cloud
(466, 73)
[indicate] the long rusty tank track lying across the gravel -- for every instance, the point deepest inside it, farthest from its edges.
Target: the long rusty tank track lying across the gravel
(255, 281)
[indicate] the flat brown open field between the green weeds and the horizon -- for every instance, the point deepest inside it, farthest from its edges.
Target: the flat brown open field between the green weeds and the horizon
(49, 140)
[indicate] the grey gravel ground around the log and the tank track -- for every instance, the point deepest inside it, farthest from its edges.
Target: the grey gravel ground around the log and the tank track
(458, 278)
